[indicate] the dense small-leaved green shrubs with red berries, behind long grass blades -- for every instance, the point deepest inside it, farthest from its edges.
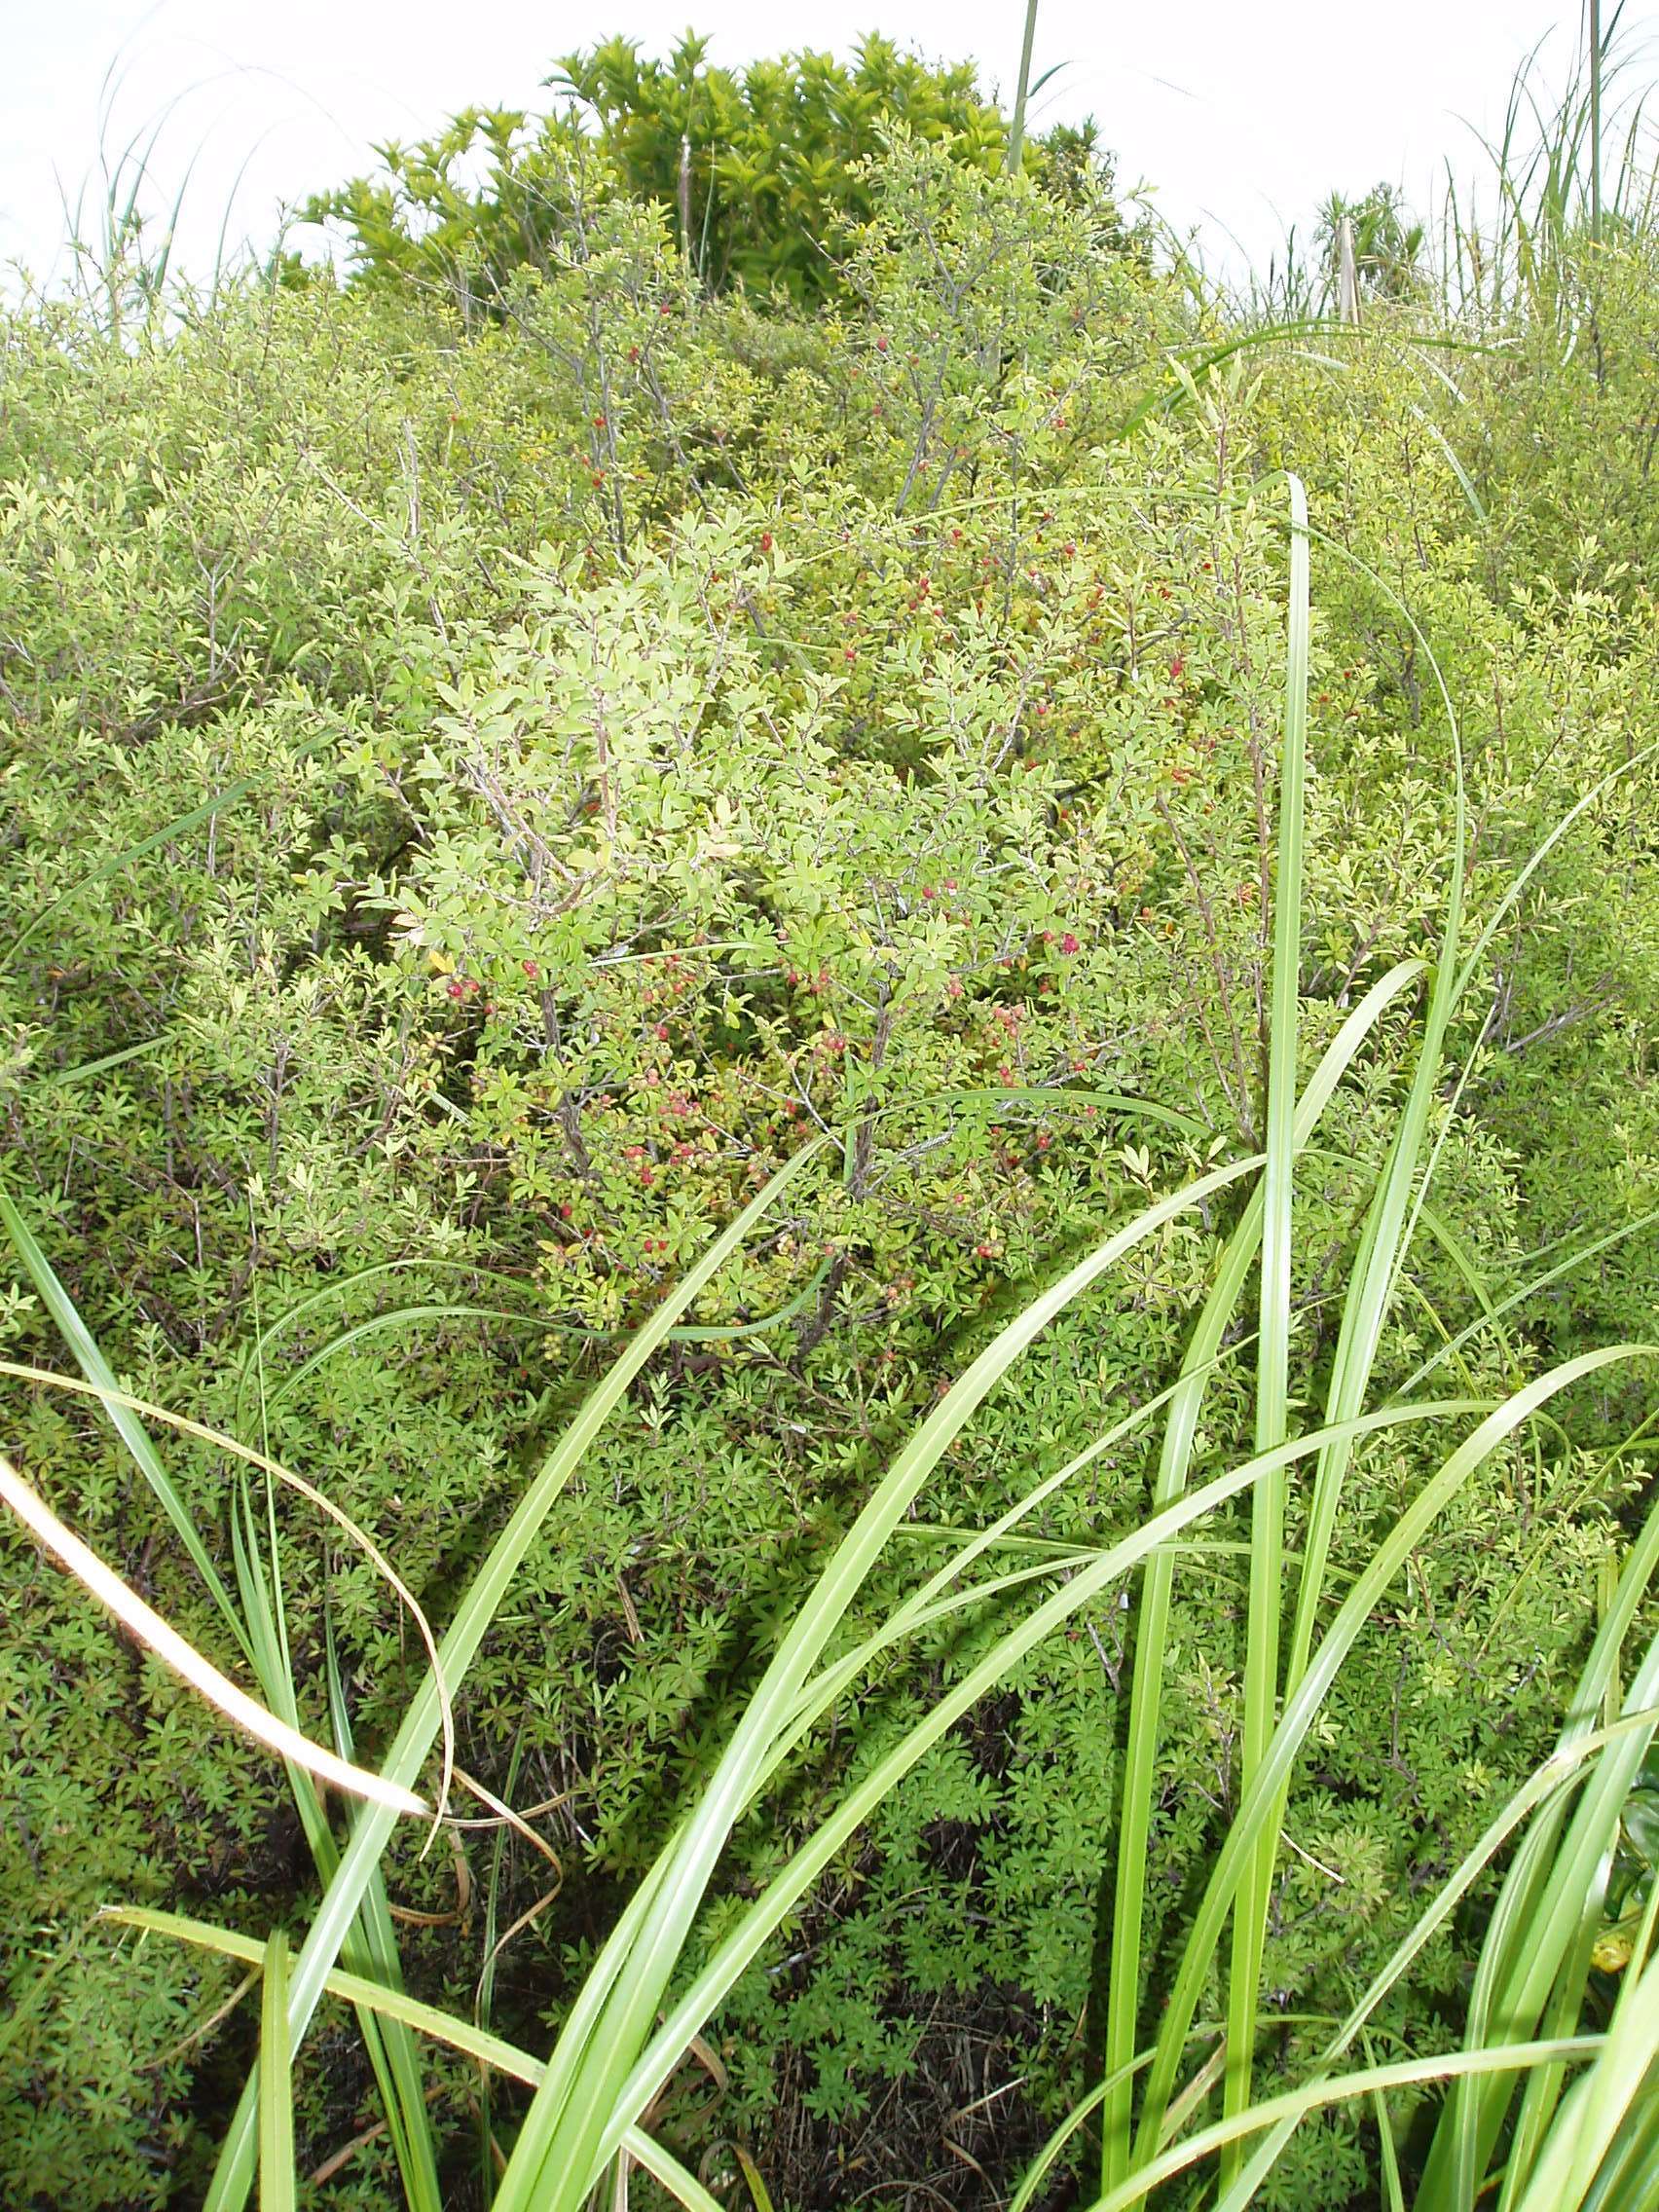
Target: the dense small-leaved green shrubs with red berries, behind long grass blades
(647, 731)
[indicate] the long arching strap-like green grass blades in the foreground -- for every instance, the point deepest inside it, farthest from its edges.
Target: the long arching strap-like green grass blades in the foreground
(636, 2014)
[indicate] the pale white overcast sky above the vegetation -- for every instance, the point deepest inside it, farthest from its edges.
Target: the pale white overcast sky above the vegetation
(1244, 116)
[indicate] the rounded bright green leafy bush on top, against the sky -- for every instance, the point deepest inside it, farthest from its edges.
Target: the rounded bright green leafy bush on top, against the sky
(764, 180)
